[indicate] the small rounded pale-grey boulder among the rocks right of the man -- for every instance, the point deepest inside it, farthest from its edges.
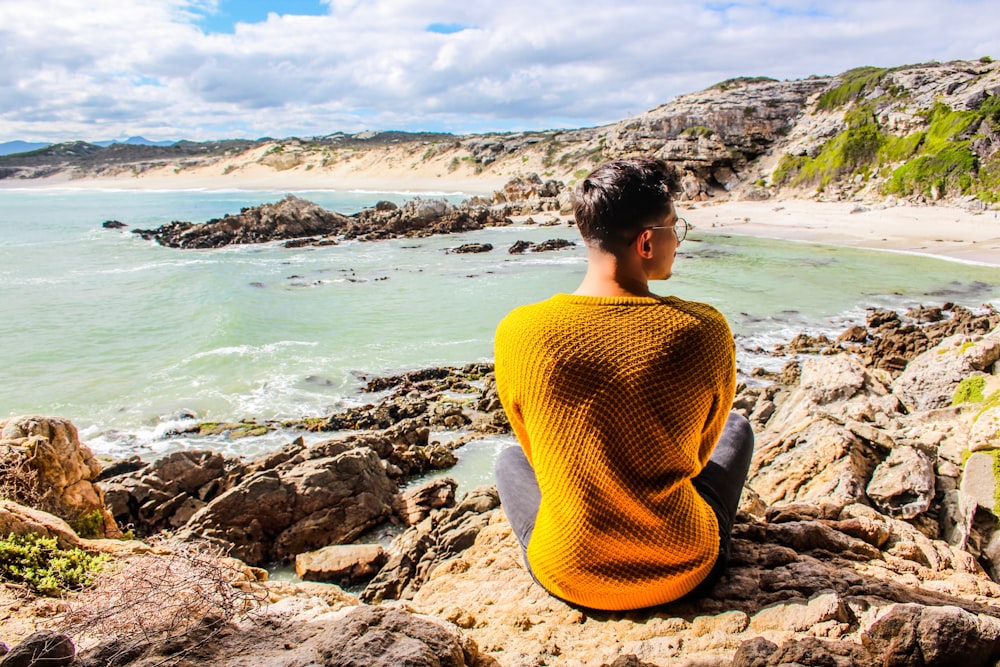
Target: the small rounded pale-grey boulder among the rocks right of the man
(903, 484)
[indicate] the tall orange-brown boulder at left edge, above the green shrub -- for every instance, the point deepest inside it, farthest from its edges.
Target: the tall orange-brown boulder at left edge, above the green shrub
(62, 470)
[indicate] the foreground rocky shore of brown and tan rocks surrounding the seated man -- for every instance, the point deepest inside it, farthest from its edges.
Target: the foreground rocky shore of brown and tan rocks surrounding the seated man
(868, 533)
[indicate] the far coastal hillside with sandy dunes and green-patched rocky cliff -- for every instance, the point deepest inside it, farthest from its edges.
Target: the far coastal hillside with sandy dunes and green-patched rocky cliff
(921, 132)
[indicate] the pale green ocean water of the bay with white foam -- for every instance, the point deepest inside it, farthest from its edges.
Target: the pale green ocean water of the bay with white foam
(128, 339)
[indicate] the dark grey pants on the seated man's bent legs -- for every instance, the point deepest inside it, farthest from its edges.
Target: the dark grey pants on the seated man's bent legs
(720, 484)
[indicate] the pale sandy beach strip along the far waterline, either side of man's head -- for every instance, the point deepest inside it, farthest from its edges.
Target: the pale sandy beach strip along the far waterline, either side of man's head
(940, 230)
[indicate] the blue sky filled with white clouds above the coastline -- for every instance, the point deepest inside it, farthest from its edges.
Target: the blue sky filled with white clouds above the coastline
(214, 69)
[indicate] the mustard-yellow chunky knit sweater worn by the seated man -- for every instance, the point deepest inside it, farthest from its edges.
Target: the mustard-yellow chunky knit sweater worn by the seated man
(618, 403)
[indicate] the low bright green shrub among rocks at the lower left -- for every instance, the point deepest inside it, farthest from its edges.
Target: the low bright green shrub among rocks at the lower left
(39, 564)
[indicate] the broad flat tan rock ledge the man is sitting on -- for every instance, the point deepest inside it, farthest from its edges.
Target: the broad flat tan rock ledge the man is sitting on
(799, 591)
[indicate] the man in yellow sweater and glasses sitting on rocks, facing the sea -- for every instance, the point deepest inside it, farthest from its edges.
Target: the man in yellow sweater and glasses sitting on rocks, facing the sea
(630, 466)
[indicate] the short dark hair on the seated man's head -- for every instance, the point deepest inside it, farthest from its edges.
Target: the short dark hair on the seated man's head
(620, 197)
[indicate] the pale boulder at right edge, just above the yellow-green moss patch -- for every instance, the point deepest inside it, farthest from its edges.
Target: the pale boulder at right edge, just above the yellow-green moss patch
(929, 381)
